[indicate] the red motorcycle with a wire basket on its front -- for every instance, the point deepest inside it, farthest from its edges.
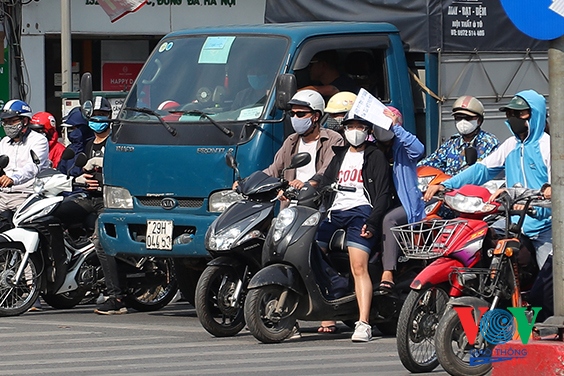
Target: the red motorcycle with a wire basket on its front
(455, 243)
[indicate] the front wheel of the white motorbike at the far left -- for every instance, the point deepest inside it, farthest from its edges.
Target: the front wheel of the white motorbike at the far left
(16, 297)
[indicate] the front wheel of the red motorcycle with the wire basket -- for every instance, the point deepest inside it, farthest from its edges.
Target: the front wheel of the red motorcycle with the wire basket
(417, 323)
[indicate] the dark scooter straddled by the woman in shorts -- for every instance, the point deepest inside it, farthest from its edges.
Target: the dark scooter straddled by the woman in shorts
(299, 282)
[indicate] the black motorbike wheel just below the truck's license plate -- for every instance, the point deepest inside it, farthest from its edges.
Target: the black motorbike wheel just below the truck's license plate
(155, 289)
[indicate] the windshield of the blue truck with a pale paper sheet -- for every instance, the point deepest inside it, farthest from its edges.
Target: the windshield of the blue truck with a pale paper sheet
(191, 79)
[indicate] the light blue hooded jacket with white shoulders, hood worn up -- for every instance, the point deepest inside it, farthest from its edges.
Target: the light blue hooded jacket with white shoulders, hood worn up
(526, 162)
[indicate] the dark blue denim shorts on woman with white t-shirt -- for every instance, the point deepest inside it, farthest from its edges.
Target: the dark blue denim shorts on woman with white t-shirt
(351, 221)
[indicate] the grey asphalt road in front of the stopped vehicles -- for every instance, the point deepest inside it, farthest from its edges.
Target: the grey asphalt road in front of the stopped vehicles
(172, 342)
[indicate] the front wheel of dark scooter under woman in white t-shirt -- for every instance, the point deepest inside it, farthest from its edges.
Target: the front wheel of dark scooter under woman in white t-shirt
(270, 313)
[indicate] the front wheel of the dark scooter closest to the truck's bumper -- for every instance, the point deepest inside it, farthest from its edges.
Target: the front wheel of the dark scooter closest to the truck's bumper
(213, 301)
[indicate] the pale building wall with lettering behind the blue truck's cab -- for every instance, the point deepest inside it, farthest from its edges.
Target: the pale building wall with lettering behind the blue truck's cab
(42, 19)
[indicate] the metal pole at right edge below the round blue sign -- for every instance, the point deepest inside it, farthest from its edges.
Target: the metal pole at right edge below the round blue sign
(556, 82)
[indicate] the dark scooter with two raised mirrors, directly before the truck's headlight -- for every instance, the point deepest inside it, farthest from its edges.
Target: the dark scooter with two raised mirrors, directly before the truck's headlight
(235, 240)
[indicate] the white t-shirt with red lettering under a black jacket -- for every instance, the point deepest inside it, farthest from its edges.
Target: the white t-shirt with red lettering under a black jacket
(350, 175)
